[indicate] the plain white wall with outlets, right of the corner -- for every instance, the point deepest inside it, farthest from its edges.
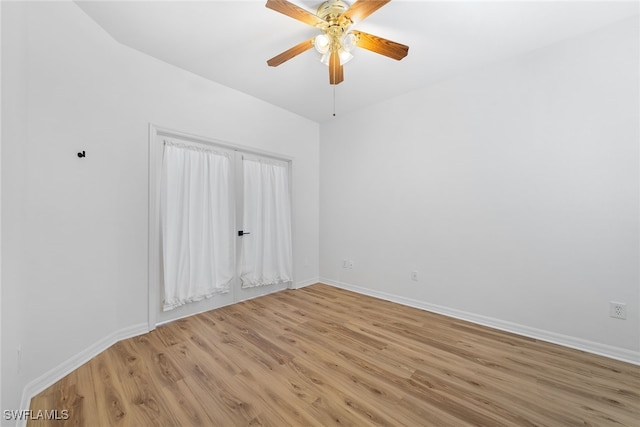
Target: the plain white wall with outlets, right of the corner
(512, 190)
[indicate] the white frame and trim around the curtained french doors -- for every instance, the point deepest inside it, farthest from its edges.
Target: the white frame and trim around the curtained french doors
(156, 134)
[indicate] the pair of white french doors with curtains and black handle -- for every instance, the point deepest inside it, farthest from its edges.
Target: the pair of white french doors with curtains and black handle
(219, 225)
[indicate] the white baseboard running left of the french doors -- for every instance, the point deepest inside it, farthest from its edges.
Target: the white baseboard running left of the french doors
(52, 376)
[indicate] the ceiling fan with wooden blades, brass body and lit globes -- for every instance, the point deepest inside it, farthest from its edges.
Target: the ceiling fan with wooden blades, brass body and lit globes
(334, 18)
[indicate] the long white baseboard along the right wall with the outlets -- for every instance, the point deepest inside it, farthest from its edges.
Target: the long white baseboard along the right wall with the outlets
(605, 350)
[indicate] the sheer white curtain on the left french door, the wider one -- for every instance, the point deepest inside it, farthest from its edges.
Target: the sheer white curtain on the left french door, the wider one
(196, 224)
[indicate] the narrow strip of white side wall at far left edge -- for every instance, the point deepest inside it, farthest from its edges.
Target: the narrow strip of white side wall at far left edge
(13, 298)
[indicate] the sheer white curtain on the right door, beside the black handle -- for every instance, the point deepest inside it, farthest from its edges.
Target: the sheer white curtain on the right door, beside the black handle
(266, 252)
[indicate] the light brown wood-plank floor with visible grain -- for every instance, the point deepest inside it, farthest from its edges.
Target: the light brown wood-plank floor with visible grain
(322, 356)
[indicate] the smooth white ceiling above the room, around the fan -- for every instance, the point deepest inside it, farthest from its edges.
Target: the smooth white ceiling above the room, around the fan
(229, 42)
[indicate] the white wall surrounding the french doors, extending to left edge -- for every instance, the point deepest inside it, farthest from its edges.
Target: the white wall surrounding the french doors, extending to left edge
(75, 246)
